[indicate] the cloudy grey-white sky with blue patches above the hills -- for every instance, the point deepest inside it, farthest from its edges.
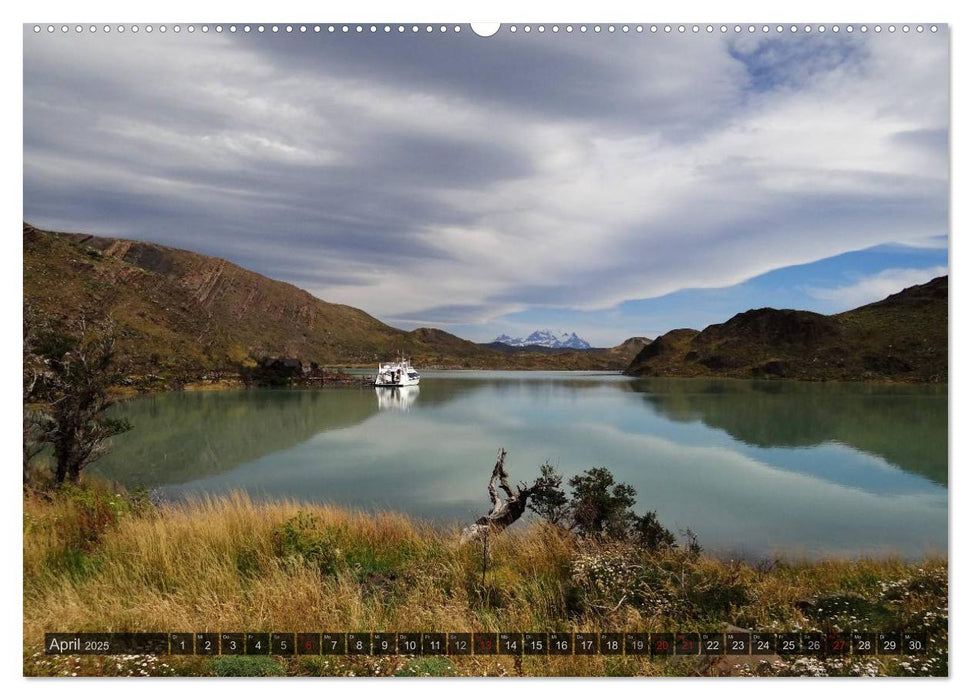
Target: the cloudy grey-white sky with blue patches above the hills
(608, 184)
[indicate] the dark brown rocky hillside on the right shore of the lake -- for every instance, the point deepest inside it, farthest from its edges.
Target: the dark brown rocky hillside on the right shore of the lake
(902, 338)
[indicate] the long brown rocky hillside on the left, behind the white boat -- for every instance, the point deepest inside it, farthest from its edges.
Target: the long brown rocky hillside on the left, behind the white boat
(182, 313)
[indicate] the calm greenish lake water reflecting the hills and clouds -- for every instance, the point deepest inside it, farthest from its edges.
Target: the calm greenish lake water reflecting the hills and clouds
(754, 468)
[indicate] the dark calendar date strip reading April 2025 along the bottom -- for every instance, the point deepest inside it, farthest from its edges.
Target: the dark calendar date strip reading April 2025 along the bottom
(654, 644)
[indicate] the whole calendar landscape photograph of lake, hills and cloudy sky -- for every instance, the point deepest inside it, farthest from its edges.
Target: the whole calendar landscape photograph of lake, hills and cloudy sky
(424, 350)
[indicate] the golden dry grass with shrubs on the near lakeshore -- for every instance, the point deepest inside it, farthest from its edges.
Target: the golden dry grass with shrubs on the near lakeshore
(99, 561)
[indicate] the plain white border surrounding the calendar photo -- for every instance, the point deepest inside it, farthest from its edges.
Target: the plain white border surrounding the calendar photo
(830, 11)
